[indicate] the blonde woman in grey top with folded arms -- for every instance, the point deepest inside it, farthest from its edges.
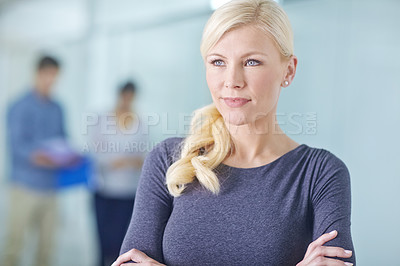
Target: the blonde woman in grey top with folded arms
(237, 190)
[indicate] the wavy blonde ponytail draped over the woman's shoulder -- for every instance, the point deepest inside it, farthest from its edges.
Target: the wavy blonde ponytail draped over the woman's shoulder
(206, 146)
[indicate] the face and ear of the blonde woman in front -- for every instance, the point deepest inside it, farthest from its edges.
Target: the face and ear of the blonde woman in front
(245, 72)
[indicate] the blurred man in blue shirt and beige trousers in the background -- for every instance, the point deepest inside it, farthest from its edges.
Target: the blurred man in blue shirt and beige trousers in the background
(32, 120)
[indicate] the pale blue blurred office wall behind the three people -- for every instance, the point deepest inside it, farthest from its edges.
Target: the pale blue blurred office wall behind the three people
(345, 96)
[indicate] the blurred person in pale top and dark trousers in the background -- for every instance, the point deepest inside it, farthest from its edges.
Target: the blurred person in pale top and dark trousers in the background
(119, 149)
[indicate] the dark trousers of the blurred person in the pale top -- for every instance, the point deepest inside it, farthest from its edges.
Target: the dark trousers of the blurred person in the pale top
(113, 217)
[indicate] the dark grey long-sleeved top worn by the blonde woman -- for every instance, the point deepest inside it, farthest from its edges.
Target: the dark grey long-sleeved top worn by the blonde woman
(266, 215)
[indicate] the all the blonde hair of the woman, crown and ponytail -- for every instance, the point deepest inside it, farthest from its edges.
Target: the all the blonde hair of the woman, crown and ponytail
(209, 141)
